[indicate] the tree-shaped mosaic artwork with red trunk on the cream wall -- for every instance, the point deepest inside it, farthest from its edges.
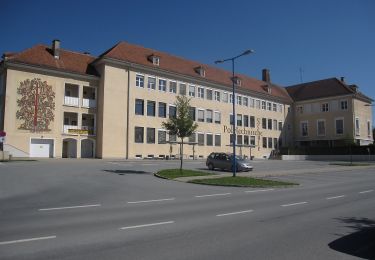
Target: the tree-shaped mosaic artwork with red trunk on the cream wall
(36, 105)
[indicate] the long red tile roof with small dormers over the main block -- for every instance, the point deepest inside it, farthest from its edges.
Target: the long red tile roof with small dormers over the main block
(137, 54)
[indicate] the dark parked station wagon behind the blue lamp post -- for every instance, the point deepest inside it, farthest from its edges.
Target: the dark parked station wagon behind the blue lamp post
(224, 161)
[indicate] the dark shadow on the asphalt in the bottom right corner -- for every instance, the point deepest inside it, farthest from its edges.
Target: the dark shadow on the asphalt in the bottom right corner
(360, 243)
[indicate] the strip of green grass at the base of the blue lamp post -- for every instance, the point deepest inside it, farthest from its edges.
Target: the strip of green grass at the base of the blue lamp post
(242, 182)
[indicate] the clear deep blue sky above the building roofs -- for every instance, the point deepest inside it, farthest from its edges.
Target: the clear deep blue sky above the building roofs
(324, 38)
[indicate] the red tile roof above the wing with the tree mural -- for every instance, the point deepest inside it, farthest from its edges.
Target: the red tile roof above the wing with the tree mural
(69, 61)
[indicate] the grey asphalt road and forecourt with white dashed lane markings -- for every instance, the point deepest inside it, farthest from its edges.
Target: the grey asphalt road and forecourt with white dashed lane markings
(96, 209)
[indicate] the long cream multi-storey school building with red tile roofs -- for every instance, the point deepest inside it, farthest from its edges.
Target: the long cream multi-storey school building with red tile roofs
(60, 103)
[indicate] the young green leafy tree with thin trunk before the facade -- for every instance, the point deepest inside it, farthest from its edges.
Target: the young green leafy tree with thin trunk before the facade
(183, 124)
